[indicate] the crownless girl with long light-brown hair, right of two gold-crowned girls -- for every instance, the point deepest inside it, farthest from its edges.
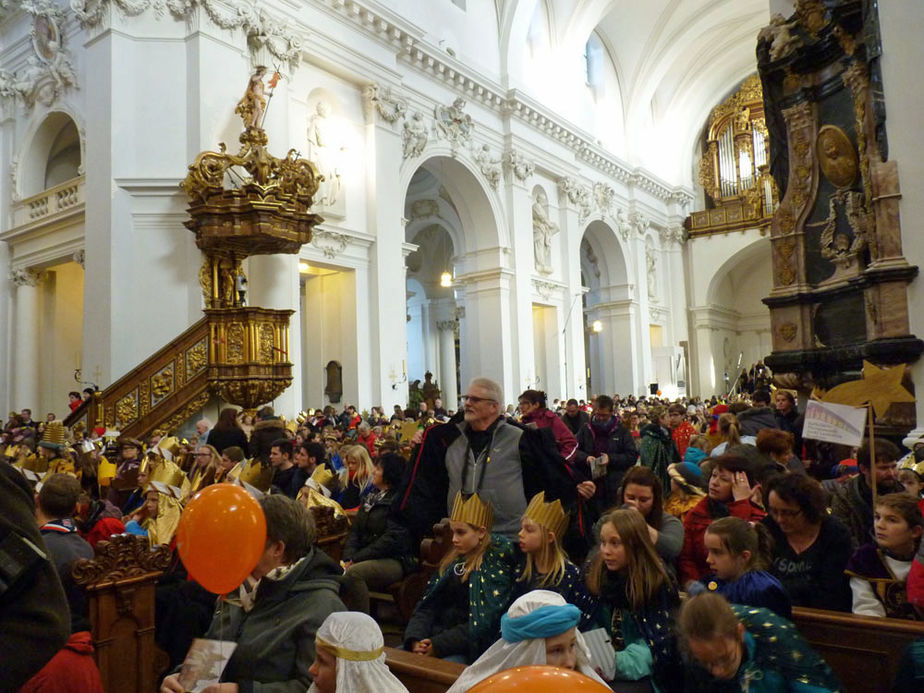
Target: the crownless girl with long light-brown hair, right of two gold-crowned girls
(637, 598)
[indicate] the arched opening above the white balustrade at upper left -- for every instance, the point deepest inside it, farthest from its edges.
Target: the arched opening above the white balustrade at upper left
(39, 148)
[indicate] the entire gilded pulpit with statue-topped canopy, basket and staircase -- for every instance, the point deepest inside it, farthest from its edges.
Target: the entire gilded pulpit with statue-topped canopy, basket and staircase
(236, 353)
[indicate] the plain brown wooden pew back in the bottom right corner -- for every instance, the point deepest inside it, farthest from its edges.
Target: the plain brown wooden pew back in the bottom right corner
(864, 652)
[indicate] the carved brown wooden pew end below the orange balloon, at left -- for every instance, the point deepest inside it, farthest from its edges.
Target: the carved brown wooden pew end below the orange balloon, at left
(120, 583)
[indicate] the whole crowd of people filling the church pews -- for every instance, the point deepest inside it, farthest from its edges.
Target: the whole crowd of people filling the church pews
(650, 545)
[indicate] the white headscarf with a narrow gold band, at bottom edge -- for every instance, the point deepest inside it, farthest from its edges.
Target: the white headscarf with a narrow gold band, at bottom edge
(356, 640)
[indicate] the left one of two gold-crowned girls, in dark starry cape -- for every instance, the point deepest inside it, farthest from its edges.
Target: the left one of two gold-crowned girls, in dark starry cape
(458, 617)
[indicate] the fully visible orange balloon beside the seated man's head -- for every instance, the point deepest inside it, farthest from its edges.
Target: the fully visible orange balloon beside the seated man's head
(221, 536)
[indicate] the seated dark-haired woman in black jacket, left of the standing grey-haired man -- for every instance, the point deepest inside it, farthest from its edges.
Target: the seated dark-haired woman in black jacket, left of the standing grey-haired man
(377, 549)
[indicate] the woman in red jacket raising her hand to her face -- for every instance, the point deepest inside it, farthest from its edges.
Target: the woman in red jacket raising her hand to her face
(731, 488)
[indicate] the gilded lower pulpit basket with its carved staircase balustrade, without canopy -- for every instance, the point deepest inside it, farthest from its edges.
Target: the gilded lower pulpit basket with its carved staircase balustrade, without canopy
(239, 354)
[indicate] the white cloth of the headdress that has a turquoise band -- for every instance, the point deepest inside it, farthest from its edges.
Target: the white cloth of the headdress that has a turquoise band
(504, 655)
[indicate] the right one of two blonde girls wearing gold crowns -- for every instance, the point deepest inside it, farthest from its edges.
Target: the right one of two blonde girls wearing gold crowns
(543, 564)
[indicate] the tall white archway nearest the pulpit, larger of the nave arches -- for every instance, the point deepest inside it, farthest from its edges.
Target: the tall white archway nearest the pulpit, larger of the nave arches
(458, 289)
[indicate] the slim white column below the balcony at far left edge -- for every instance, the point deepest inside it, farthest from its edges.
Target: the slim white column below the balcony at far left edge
(26, 346)
